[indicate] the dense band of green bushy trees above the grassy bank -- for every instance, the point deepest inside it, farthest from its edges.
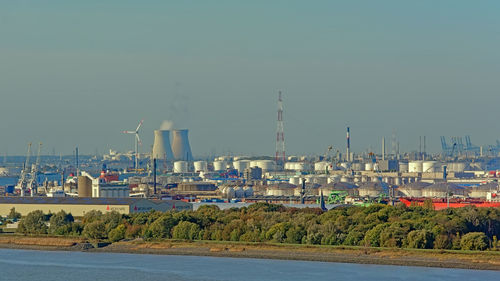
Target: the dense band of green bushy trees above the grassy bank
(468, 228)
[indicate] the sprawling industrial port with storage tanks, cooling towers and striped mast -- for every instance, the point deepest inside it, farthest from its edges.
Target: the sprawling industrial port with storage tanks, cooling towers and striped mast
(462, 174)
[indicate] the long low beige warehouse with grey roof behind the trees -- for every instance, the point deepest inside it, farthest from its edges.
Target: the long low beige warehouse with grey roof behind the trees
(80, 206)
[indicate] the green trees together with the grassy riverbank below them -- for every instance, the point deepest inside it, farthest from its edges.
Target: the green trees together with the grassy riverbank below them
(375, 234)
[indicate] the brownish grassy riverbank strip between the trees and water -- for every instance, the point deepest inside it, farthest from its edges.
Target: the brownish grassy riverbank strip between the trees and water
(484, 260)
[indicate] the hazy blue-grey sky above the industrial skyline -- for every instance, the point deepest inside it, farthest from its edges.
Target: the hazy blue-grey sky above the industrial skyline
(79, 72)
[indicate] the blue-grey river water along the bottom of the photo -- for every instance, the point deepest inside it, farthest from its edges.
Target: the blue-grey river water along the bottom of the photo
(82, 266)
